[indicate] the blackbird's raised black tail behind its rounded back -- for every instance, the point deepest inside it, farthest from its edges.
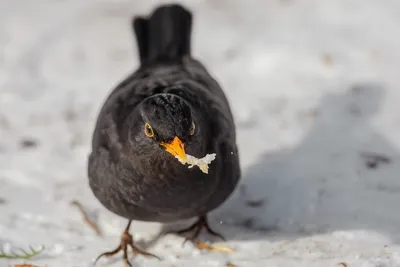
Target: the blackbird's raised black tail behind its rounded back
(165, 35)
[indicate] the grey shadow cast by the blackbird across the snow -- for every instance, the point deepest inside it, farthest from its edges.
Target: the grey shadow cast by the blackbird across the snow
(328, 182)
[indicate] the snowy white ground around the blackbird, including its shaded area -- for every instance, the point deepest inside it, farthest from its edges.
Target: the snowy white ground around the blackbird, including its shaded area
(313, 84)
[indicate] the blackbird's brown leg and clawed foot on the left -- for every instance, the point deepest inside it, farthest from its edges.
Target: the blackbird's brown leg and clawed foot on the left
(126, 241)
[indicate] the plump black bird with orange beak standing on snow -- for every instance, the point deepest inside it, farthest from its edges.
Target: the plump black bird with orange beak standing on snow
(168, 108)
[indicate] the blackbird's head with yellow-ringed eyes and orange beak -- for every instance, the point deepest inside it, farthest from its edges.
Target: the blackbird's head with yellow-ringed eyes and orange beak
(166, 122)
